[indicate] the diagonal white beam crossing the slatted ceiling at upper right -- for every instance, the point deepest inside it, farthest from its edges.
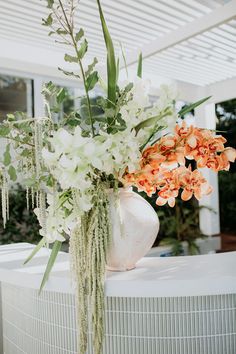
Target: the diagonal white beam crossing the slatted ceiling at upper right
(205, 23)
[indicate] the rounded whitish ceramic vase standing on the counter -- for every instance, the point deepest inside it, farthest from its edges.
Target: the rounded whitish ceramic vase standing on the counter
(135, 226)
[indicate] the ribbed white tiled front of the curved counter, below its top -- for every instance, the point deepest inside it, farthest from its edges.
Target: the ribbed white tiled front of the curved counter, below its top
(46, 324)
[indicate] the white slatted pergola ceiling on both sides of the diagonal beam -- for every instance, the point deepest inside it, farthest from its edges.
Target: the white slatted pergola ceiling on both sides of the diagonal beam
(204, 59)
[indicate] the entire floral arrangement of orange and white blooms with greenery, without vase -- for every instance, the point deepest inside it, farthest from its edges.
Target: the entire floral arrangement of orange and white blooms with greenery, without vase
(67, 167)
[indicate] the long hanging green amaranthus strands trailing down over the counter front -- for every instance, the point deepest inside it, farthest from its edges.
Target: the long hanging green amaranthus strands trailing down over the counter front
(89, 244)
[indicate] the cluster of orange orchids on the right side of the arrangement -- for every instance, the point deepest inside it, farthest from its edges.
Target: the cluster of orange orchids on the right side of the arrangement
(156, 171)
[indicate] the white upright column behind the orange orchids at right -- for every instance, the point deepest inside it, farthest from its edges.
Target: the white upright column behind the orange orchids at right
(209, 219)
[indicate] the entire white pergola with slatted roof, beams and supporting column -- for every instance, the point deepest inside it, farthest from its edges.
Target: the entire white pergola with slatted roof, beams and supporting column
(189, 42)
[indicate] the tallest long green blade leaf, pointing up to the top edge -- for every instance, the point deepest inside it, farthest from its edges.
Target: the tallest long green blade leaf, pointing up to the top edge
(111, 60)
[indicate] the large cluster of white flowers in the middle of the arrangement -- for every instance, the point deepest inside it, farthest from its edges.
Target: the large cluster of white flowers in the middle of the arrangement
(74, 160)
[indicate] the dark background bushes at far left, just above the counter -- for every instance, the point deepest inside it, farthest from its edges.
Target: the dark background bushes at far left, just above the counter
(22, 225)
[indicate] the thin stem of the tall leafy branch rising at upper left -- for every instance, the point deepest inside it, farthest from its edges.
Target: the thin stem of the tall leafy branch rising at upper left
(70, 30)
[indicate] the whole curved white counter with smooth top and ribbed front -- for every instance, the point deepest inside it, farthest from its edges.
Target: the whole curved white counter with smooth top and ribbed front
(177, 305)
